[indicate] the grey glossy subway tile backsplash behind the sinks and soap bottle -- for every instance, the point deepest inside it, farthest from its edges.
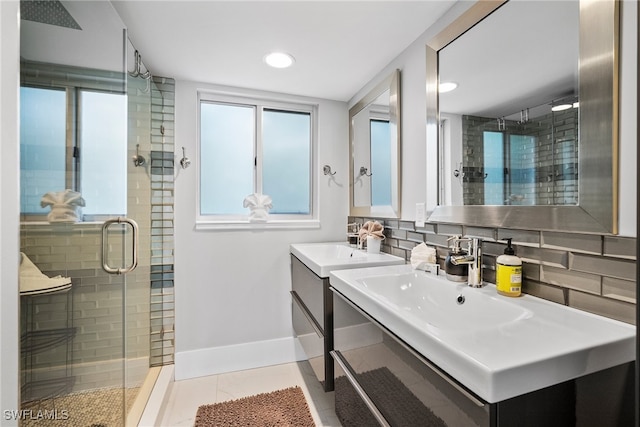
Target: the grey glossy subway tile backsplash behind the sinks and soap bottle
(588, 272)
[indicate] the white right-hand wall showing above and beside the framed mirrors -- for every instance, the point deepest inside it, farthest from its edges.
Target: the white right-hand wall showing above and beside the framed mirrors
(417, 164)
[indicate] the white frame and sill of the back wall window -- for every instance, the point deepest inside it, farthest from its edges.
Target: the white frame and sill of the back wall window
(275, 221)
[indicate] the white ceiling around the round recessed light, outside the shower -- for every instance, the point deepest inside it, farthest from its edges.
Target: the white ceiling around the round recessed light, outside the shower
(339, 46)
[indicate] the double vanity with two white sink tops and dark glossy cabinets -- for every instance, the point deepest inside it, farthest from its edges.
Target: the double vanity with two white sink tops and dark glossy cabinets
(407, 347)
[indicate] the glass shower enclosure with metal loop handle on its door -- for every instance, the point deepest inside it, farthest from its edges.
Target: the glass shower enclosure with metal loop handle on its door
(85, 216)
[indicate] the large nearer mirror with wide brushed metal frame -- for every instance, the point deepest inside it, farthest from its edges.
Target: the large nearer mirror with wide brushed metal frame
(505, 159)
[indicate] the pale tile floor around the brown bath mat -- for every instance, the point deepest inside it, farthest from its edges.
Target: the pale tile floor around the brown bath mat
(187, 395)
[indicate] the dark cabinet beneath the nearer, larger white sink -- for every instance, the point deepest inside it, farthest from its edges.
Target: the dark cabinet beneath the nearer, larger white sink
(381, 380)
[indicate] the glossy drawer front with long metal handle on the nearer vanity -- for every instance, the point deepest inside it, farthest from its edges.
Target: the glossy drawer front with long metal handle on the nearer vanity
(397, 386)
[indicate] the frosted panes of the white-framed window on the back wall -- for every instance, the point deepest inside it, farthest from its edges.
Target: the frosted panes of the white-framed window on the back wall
(249, 146)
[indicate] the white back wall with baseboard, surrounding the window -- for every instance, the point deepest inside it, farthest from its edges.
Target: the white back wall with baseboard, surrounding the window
(233, 308)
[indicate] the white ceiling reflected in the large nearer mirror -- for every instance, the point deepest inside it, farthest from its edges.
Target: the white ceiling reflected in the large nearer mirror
(511, 61)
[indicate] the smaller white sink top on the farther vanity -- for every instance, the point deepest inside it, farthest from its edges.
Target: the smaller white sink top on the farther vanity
(322, 258)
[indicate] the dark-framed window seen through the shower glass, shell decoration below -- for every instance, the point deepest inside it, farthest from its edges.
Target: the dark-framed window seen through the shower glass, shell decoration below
(73, 138)
